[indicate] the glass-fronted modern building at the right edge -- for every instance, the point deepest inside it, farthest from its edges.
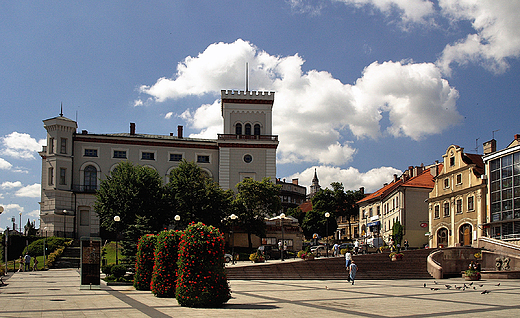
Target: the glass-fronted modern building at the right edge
(503, 181)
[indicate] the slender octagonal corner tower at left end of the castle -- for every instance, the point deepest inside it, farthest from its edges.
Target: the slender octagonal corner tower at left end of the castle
(56, 207)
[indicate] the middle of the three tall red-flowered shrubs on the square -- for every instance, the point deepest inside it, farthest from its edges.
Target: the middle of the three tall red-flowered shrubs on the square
(165, 265)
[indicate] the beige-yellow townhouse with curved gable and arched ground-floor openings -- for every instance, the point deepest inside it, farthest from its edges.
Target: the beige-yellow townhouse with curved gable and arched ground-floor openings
(457, 203)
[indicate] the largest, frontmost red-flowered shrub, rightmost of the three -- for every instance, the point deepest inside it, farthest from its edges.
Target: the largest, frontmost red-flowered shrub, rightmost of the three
(201, 280)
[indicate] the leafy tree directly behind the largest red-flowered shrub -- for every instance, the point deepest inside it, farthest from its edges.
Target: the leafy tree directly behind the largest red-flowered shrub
(195, 197)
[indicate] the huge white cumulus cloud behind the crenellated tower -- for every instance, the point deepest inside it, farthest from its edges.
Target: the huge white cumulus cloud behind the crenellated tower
(314, 111)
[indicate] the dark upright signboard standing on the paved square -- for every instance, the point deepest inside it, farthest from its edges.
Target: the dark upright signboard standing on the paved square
(90, 262)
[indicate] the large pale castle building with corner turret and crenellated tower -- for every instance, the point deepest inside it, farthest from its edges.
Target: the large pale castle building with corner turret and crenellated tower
(73, 164)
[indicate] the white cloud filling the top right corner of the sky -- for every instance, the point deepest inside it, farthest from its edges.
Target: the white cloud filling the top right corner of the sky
(497, 36)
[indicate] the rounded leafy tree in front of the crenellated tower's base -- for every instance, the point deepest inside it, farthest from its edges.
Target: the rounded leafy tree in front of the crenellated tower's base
(255, 201)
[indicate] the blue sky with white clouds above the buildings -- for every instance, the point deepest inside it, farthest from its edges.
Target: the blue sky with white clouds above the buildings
(363, 88)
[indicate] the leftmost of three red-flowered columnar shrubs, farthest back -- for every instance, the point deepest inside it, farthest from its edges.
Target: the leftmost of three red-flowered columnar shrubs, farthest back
(144, 262)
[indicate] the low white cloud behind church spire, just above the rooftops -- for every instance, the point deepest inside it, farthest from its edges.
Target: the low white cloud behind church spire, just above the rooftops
(351, 178)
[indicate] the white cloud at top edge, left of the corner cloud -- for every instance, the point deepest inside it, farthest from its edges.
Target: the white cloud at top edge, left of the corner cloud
(416, 11)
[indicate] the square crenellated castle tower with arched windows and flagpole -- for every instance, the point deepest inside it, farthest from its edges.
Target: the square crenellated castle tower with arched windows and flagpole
(247, 148)
